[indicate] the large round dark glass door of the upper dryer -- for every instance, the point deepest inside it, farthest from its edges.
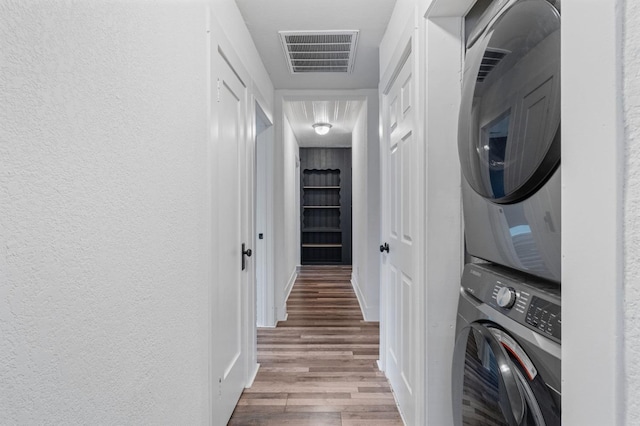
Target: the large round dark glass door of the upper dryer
(509, 124)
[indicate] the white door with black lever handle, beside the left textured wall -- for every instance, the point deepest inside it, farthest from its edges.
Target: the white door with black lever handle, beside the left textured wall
(232, 348)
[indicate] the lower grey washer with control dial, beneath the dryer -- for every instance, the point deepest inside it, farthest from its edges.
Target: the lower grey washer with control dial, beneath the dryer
(506, 362)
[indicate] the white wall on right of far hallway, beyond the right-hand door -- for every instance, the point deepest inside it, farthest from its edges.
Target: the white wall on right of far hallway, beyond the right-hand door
(366, 208)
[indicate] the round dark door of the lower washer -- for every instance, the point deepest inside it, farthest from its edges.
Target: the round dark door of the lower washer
(493, 385)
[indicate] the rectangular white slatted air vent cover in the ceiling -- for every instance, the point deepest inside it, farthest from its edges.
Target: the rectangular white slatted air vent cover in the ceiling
(319, 51)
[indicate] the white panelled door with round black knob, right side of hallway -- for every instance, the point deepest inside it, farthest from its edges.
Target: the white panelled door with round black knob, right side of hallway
(401, 342)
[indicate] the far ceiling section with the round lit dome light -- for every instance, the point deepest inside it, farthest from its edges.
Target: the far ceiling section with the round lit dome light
(342, 115)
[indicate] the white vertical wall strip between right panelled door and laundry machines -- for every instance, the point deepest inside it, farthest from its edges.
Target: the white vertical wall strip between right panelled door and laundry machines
(444, 250)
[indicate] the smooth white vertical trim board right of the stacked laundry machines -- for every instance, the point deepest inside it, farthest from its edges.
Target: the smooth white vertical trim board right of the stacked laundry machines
(592, 181)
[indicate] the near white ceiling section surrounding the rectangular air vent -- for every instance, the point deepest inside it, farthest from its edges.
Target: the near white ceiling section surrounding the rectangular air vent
(265, 18)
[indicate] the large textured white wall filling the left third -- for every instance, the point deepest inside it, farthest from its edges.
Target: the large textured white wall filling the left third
(103, 147)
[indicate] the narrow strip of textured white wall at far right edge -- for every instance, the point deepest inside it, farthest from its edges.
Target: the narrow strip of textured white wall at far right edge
(631, 88)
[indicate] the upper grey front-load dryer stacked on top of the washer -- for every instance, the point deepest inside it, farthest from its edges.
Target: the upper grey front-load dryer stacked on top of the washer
(509, 137)
